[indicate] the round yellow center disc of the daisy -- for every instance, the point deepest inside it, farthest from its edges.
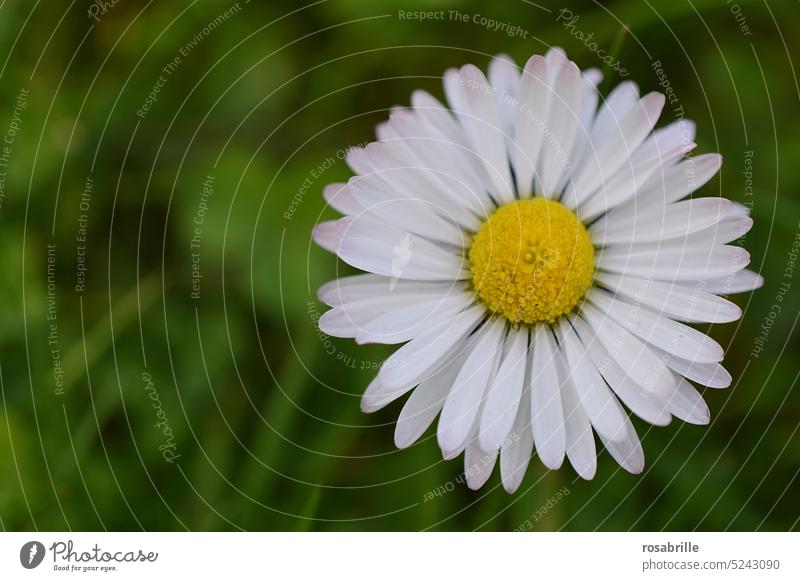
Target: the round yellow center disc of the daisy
(532, 261)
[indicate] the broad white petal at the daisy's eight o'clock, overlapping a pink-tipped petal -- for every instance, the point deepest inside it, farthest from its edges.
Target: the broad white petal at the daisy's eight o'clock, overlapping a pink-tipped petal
(413, 361)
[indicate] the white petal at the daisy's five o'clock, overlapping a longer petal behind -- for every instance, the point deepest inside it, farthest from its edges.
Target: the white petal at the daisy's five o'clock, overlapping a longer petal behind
(596, 399)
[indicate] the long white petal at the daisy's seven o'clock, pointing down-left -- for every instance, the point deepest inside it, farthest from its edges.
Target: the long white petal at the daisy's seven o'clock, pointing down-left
(465, 399)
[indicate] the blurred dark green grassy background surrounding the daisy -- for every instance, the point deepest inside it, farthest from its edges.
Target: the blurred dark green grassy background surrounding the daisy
(264, 411)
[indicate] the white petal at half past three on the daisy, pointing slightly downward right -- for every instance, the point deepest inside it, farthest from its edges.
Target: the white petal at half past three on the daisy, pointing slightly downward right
(673, 300)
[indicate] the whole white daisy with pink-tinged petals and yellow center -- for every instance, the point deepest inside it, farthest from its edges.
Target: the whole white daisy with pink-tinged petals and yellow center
(533, 252)
